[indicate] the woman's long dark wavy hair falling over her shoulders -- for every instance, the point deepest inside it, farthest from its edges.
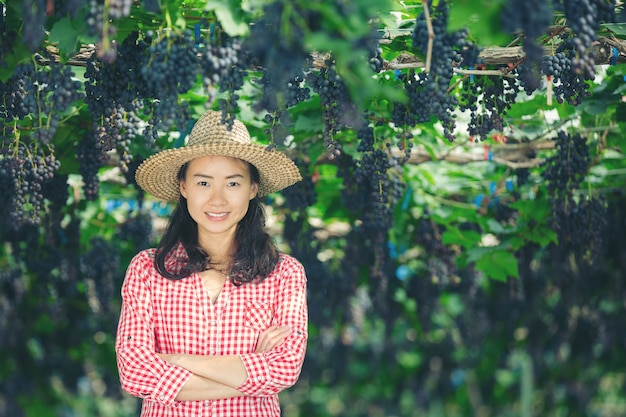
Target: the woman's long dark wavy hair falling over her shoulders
(256, 253)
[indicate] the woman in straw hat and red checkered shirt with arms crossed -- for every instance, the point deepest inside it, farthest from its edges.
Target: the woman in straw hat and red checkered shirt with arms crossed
(213, 320)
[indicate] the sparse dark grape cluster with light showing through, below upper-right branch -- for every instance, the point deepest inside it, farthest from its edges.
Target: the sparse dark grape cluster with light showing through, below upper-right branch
(487, 99)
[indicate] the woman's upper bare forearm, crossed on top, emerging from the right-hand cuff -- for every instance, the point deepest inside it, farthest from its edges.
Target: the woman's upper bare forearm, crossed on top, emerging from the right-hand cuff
(225, 370)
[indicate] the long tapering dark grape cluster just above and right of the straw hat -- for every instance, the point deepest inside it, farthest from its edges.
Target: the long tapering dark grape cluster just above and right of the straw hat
(338, 110)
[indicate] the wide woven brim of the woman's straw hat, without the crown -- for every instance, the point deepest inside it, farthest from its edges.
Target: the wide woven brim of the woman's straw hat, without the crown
(158, 175)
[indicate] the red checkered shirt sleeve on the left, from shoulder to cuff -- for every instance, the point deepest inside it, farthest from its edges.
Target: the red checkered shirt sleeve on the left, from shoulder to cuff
(142, 373)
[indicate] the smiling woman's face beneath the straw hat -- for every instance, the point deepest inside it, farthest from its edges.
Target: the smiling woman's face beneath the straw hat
(218, 190)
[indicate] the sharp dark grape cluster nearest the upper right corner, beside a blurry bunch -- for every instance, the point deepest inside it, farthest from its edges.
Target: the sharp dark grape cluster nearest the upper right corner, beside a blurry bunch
(569, 85)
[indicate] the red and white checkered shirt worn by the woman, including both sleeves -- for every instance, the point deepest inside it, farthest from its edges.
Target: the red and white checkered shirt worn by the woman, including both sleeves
(168, 316)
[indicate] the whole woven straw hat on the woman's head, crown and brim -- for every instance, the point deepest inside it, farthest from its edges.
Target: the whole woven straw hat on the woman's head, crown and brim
(158, 175)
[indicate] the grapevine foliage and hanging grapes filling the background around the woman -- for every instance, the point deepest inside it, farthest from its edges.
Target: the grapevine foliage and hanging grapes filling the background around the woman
(460, 217)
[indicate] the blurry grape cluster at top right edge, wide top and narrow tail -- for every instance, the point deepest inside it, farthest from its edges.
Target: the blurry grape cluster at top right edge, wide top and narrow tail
(532, 19)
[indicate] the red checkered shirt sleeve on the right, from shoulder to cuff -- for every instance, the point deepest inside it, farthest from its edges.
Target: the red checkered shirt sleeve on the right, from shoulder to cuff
(276, 370)
